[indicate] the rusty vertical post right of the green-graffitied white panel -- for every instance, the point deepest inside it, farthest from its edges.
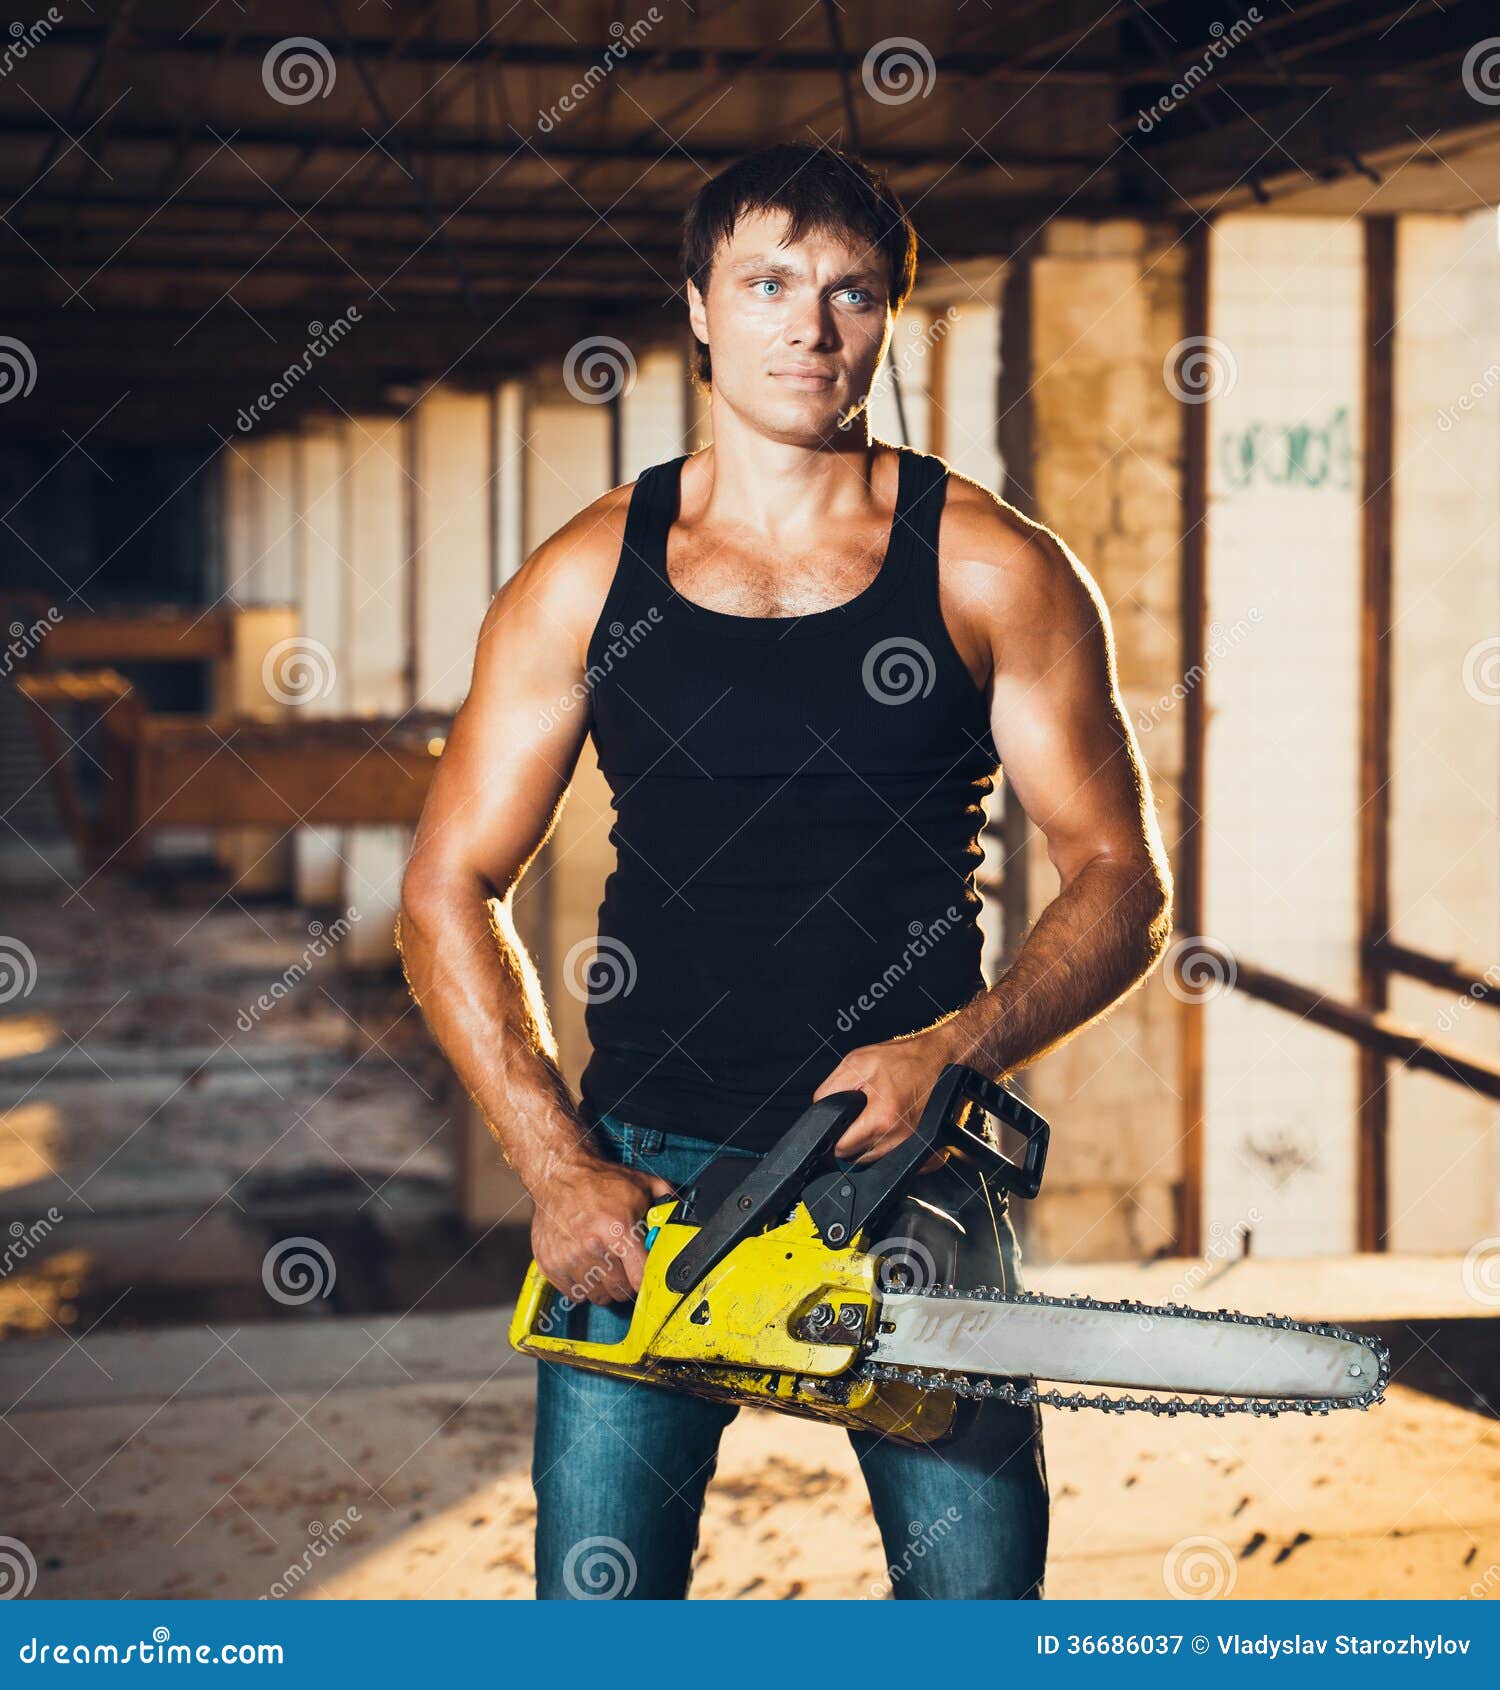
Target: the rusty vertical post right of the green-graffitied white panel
(1374, 792)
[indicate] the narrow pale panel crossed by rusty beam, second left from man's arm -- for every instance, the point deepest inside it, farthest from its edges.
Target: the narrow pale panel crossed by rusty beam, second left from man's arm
(378, 491)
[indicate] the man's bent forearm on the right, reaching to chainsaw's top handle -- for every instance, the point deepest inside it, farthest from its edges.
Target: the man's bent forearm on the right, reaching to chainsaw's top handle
(1099, 939)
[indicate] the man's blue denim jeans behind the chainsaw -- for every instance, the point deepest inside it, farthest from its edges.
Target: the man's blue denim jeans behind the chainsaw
(621, 1469)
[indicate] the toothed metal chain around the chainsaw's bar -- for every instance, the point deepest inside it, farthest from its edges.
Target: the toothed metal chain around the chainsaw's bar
(1026, 1395)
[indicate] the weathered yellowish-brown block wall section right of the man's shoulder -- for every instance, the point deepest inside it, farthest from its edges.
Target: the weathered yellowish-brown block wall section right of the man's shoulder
(1107, 307)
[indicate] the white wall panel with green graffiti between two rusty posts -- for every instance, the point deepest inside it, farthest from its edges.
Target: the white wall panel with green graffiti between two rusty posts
(1285, 592)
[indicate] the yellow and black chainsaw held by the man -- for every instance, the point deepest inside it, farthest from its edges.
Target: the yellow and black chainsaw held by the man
(851, 1294)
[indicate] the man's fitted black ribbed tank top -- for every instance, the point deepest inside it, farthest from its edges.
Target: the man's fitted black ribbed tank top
(798, 805)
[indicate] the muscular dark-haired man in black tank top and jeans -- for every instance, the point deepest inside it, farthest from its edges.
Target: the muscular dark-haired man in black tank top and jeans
(802, 653)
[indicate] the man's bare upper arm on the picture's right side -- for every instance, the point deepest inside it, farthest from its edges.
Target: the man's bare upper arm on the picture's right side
(1058, 721)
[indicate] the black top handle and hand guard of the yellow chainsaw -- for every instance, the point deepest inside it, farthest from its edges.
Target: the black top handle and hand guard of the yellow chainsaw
(845, 1202)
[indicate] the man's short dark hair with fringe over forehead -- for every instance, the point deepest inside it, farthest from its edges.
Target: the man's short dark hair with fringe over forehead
(820, 190)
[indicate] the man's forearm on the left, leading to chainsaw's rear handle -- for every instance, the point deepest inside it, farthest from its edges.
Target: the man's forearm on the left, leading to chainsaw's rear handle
(469, 976)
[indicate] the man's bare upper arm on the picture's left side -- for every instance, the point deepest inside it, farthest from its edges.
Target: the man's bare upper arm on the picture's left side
(514, 744)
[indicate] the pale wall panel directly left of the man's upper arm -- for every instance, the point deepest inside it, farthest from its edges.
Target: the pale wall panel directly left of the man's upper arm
(454, 525)
